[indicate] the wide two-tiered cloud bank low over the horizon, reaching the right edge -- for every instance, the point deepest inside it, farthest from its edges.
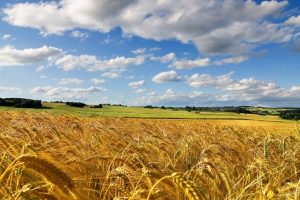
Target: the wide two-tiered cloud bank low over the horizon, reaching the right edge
(226, 91)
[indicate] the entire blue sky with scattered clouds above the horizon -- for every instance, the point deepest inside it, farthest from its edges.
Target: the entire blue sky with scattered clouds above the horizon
(159, 52)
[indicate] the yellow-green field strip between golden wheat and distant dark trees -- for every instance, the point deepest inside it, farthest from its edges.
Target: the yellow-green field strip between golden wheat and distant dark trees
(140, 112)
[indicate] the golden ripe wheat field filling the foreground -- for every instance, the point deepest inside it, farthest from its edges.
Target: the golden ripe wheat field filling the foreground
(45, 156)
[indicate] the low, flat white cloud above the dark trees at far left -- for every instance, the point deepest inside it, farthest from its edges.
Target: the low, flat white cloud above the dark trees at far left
(66, 93)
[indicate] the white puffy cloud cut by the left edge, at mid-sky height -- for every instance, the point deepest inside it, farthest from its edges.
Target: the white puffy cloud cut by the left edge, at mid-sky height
(10, 56)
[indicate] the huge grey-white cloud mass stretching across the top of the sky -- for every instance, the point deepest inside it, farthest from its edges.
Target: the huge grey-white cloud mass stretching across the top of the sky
(214, 27)
